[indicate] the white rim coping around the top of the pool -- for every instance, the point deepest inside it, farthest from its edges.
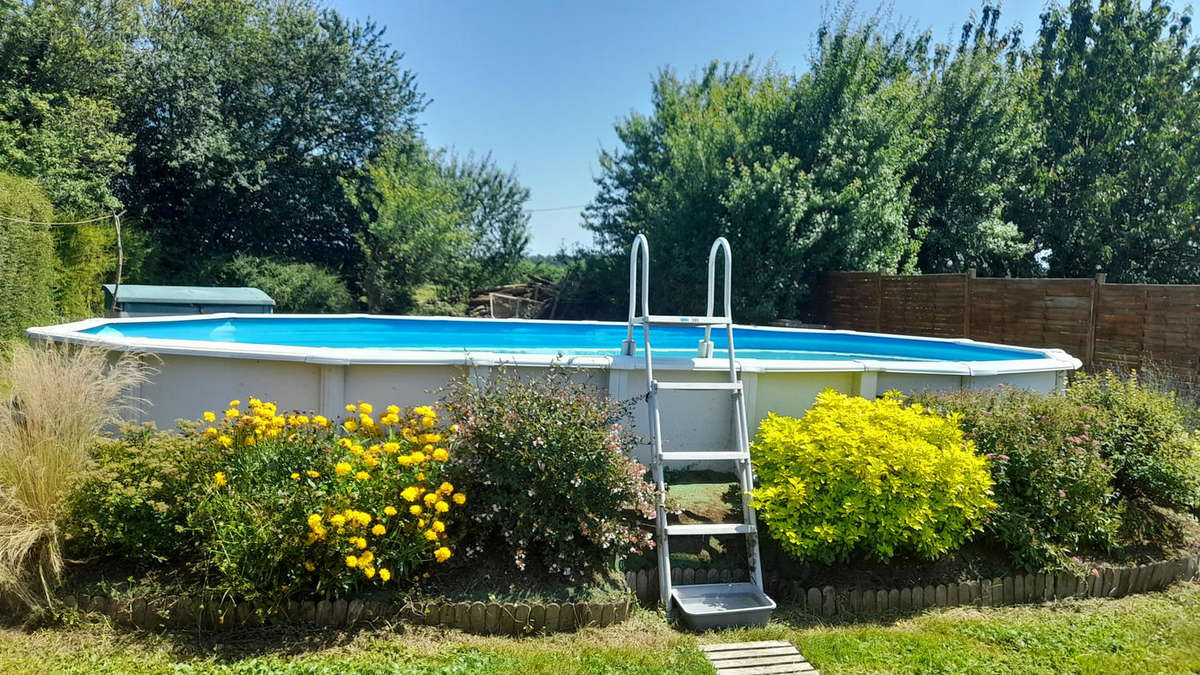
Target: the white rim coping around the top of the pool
(1052, 360)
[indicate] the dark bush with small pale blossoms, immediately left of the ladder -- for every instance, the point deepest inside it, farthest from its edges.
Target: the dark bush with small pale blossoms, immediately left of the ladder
(549, 465)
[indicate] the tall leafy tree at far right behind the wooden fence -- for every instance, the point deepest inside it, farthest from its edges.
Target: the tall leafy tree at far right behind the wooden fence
(1119, 101)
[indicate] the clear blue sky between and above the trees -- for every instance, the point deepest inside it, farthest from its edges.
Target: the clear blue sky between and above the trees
(539, 85)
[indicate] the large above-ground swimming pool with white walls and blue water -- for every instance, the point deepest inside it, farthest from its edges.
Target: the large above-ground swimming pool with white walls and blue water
(321, 363)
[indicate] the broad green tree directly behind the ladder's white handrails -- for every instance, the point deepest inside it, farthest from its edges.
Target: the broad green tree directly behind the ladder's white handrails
(802, 175)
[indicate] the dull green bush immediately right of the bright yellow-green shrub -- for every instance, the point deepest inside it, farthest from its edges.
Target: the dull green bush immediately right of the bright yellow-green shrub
(1053, 485)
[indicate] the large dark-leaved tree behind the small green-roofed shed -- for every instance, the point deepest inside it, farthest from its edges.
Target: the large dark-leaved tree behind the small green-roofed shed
(249, 121)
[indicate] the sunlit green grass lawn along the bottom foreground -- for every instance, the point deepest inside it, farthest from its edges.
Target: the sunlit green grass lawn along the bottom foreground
(1151, 634)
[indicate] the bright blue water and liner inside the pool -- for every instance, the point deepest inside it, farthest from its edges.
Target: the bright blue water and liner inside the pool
(549, 338)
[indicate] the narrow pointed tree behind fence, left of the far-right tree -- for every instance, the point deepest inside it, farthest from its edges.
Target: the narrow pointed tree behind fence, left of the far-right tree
(982, 142)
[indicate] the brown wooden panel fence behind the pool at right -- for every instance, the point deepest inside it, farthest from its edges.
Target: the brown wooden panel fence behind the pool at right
(1103, 325)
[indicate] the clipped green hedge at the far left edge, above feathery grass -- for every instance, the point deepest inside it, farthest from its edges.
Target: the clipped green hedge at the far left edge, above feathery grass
(27, 258)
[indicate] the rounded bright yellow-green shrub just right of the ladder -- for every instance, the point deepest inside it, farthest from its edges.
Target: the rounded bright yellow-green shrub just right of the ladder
(865, 477)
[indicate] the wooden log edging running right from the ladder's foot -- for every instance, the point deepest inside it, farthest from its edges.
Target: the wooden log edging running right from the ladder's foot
(1022, 589)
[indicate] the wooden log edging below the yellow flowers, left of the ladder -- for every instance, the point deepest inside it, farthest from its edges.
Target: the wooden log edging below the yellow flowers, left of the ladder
(224, 614)
